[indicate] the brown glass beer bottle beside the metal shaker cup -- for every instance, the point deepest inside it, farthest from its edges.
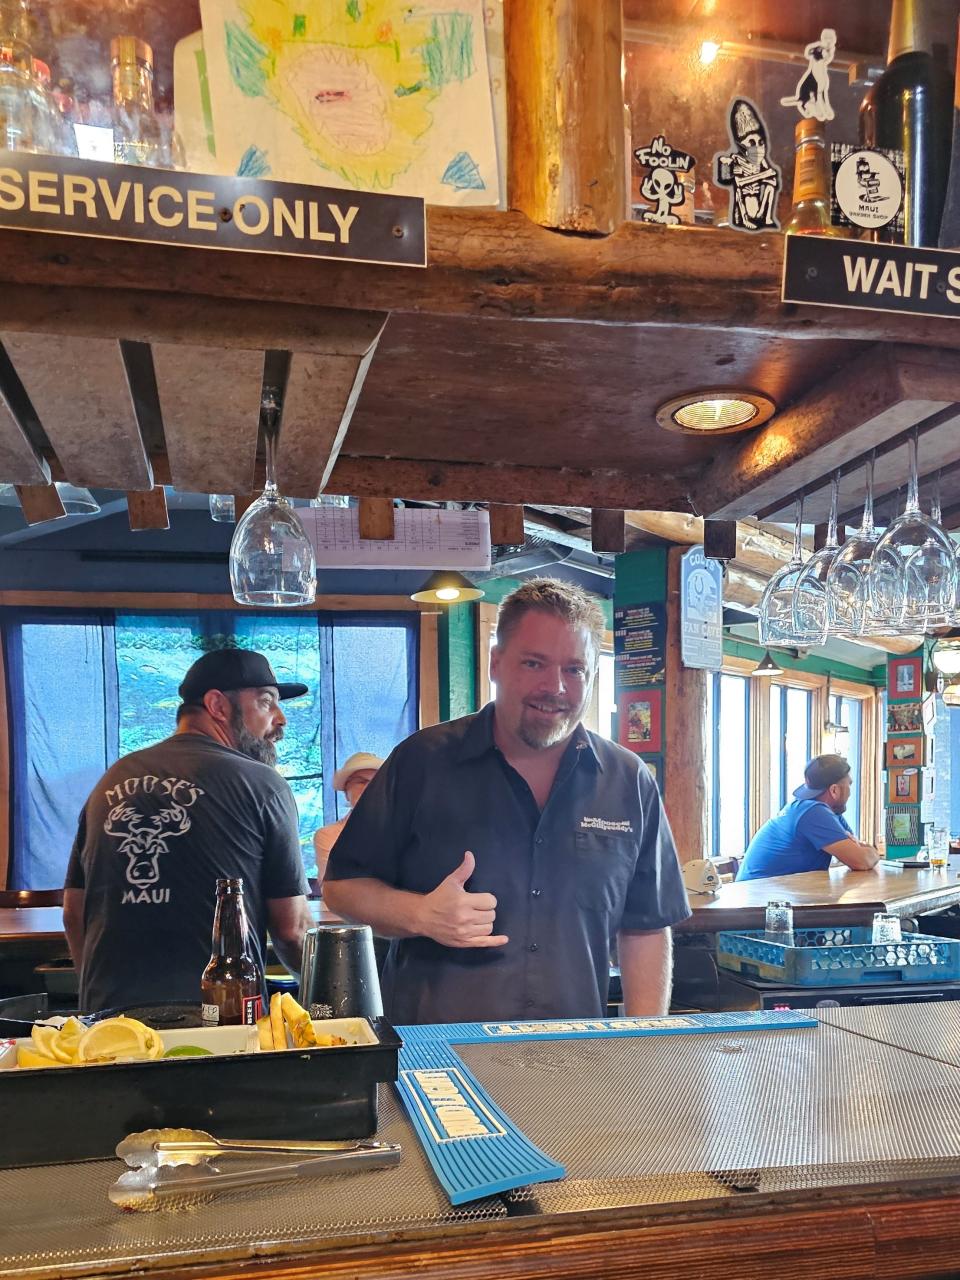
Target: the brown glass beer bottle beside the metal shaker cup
(231, 989)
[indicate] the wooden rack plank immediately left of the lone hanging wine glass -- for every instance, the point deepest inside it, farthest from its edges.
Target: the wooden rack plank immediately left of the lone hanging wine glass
(207, 396)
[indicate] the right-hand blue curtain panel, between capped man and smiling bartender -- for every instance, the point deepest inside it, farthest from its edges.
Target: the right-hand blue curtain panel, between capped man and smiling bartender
(371, 680)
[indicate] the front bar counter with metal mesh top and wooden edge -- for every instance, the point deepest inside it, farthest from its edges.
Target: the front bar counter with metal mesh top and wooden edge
(825, 1151)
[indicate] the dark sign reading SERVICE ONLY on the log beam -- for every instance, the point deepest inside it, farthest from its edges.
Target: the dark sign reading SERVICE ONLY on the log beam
(86, 198)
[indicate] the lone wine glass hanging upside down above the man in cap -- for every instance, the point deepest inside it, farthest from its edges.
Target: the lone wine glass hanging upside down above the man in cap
(272, 559)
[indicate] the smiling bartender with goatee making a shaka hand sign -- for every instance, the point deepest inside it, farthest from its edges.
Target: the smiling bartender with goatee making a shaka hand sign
(505, 852)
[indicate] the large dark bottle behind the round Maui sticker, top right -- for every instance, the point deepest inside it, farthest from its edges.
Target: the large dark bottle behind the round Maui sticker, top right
(909, 111)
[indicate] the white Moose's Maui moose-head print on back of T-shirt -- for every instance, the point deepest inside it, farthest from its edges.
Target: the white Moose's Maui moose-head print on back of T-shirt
(144, 838)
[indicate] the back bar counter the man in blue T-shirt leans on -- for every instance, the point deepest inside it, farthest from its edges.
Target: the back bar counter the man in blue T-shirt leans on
(835, 897)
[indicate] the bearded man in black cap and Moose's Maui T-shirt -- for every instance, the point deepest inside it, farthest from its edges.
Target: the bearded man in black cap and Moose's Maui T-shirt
(166, 824)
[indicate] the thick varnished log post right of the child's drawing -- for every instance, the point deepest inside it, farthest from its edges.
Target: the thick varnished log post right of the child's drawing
(565, 113)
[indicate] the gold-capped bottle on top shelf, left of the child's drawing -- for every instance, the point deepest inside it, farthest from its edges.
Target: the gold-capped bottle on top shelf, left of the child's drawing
(140, 136)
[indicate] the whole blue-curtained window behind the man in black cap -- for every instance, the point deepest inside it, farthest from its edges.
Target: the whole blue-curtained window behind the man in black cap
(88, 688)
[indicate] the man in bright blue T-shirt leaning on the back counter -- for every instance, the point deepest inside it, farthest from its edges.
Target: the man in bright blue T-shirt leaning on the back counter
(811, 830)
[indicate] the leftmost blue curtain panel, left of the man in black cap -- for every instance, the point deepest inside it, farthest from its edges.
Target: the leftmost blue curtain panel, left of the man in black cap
(62, 707)
